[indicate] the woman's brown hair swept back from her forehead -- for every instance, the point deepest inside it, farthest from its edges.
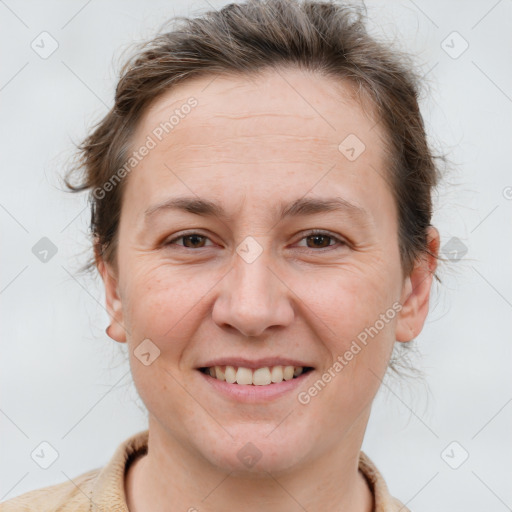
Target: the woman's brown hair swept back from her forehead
(324, 37)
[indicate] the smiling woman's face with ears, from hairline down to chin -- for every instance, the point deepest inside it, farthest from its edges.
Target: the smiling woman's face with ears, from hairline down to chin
(278, 156)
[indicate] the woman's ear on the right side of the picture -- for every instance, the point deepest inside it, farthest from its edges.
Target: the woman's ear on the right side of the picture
(416, 291)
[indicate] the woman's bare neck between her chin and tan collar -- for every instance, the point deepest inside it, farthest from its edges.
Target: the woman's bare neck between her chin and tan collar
(170, 476)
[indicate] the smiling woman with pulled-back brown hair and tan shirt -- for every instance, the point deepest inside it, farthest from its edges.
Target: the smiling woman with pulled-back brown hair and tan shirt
(261, 206)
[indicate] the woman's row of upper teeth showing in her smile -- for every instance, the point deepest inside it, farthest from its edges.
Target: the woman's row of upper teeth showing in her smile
(258, 377)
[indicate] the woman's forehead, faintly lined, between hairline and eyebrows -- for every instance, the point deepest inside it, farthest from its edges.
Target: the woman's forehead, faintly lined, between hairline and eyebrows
(267, 130)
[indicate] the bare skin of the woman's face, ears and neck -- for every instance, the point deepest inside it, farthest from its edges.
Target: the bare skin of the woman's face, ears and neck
(250, 144)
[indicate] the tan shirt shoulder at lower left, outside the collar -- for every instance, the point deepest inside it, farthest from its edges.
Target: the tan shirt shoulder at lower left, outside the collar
(67, 496)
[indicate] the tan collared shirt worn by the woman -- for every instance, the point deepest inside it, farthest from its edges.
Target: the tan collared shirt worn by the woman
(102, 489)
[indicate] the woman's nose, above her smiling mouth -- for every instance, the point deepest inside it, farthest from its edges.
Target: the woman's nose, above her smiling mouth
(253, 298)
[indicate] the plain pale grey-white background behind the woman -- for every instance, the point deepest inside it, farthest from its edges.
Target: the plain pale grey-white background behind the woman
(64, 381)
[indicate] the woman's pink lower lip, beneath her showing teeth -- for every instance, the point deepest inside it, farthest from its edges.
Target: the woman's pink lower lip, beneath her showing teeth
(253, 394)
